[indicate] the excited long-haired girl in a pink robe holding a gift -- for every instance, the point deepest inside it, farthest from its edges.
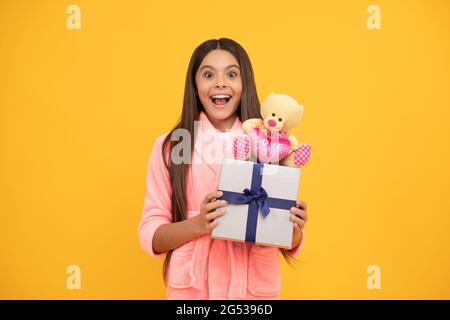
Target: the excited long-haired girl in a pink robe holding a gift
(181, 198)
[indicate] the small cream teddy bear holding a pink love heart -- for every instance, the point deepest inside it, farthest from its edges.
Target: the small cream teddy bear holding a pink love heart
(268, 139)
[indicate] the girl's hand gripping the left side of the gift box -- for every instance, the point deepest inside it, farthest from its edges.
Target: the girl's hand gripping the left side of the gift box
(205, 221)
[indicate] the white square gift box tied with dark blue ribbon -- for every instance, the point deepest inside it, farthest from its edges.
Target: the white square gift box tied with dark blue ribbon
(279, 193)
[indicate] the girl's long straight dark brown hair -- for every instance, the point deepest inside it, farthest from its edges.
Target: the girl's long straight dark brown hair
(248, 108)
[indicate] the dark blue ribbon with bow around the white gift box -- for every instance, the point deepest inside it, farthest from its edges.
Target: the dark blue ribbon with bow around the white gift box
(257, 199)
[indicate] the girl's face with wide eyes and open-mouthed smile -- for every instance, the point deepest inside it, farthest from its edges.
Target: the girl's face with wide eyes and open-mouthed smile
(219, 86)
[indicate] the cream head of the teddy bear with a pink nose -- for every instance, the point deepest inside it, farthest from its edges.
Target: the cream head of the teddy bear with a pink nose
(281, 112)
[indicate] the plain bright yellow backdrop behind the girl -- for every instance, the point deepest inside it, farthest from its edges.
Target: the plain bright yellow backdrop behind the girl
(80, 110)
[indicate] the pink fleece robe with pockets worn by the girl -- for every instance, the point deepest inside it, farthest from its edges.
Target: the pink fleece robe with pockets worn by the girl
(206, 268)
